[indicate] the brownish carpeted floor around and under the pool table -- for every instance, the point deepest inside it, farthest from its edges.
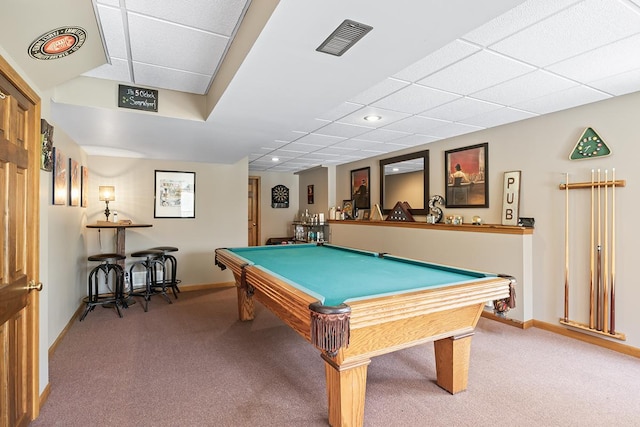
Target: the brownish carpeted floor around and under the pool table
(192, 363)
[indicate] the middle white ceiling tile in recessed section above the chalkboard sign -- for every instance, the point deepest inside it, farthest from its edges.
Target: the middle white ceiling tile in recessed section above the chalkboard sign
(182, 48)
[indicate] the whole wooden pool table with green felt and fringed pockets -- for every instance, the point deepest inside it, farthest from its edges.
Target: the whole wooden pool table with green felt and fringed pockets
(354, 304)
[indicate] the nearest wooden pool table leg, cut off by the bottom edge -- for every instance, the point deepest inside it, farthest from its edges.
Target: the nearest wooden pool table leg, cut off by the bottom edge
(346, 387)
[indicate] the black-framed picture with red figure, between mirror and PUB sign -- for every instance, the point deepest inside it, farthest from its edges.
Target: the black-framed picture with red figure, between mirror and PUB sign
(466, 170)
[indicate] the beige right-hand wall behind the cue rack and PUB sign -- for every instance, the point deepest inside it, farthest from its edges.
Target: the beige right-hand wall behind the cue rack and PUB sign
(540, 148)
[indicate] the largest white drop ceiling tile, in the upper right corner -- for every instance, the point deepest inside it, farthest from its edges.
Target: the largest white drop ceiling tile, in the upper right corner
(597, 23)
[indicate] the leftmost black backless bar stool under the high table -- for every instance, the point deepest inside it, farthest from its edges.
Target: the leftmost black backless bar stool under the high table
(109, 268)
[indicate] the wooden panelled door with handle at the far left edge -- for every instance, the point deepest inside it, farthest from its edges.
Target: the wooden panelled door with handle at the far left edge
(19, 187)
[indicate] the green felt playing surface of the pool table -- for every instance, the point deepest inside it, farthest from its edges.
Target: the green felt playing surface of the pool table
(336, 275)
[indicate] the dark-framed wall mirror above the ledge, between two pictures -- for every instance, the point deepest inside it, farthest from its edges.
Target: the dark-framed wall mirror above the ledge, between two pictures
(405, 178)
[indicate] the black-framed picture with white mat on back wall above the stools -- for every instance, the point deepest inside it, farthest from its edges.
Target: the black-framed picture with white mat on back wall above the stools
(175, 194)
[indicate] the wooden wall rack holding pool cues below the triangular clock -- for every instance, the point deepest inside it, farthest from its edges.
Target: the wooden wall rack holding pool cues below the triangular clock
(601, 288)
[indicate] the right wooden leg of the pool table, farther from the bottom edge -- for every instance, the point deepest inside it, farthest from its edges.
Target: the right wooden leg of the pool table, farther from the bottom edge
(452, 362)
